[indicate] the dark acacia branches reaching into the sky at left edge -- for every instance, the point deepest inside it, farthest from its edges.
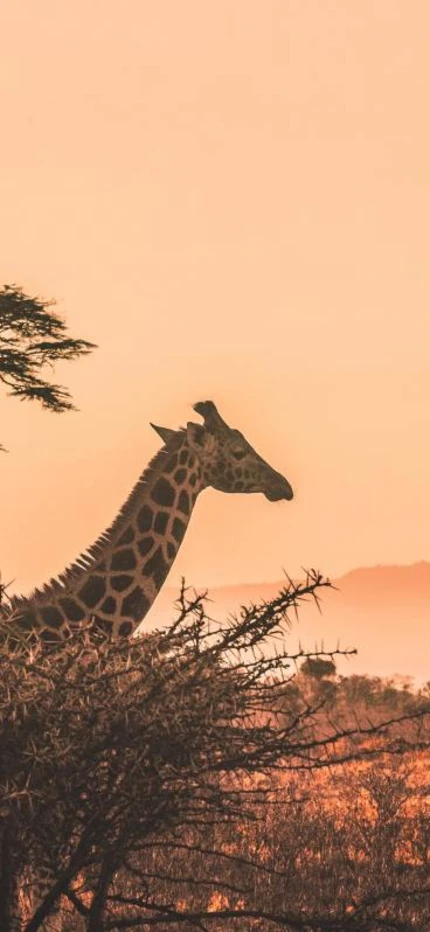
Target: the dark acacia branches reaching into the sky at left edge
(32, 338)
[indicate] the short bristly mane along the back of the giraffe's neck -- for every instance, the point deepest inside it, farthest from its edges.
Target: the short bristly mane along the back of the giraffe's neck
(89, 557)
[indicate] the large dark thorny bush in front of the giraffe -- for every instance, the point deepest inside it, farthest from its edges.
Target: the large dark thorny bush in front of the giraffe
(128, 770)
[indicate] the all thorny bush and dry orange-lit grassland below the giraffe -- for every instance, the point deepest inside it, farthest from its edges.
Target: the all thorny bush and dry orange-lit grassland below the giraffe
(204, 777)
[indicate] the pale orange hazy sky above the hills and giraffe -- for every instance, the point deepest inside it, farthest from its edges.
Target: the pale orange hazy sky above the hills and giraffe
(232, 199)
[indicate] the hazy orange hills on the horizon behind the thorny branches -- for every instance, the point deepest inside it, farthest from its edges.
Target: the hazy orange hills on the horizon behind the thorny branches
(383, 611)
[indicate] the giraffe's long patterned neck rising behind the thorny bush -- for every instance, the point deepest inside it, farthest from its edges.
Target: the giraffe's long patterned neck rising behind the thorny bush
(117, 580)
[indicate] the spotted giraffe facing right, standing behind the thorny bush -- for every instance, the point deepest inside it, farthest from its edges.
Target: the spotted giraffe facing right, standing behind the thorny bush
(116, 580)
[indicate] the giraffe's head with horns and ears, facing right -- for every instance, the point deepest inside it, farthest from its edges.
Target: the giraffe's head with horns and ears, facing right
(227, 461)
